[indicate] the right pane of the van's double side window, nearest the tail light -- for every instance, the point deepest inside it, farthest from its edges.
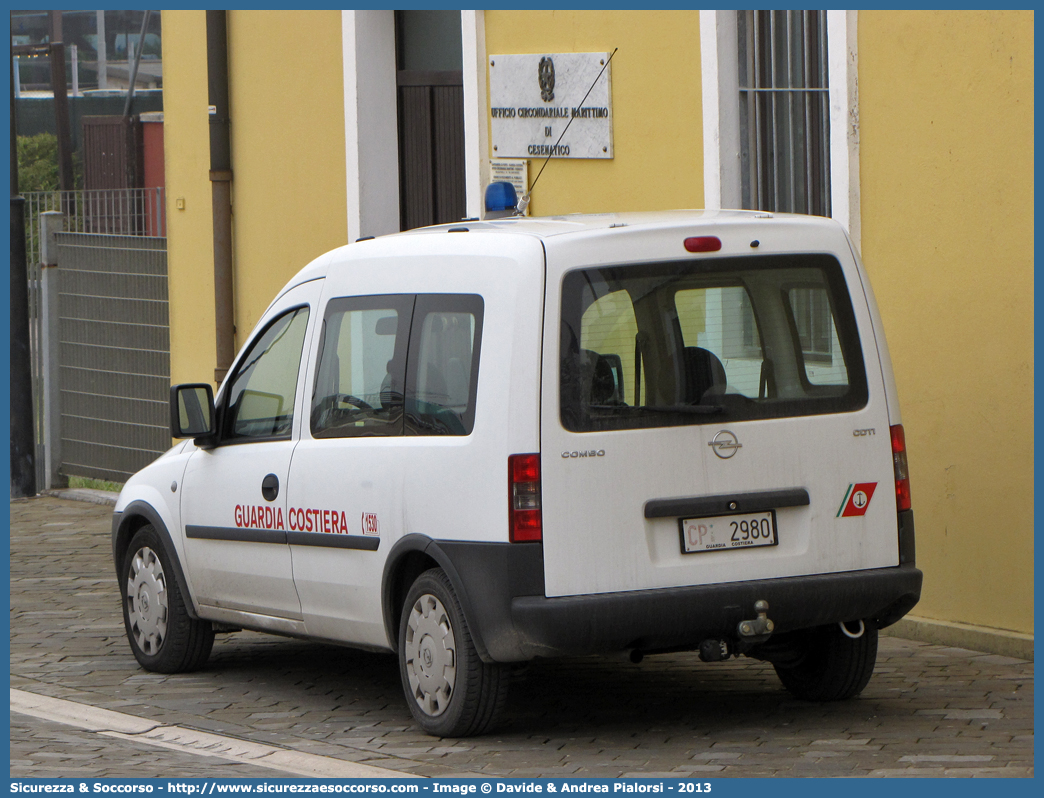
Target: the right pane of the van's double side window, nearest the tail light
(443, 365)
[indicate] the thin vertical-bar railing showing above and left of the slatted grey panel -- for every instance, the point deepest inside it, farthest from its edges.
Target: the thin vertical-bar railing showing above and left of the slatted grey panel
(136, 213)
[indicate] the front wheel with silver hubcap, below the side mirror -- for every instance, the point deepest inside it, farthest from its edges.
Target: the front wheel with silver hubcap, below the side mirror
(162, 636)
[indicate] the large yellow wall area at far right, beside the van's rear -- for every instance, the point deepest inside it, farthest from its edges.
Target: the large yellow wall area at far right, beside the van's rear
(946, 132)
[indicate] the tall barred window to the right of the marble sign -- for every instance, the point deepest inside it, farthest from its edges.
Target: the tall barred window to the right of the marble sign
(785, 115)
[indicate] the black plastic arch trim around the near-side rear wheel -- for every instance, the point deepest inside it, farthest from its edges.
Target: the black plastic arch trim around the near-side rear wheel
(408, 560)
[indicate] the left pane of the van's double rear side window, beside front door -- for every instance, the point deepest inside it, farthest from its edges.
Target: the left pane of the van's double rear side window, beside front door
(359, 389)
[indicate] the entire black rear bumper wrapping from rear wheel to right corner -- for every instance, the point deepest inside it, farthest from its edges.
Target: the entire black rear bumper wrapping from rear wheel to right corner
(502, 589)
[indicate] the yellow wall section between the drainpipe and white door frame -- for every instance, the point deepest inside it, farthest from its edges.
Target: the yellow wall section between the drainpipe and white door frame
(290, 197)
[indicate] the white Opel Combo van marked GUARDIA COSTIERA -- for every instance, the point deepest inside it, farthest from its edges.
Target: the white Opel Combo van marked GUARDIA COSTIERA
(480, 444)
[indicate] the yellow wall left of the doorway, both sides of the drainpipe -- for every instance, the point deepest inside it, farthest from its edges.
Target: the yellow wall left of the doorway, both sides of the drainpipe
(289, 192)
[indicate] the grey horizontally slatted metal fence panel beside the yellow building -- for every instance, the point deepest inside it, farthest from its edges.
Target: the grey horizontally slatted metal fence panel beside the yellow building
(114, 354)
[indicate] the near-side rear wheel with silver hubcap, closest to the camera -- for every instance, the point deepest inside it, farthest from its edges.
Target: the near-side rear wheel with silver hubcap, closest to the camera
(452, 693)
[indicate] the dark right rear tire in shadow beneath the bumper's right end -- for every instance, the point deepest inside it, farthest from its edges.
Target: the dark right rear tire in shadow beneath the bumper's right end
(834, 668)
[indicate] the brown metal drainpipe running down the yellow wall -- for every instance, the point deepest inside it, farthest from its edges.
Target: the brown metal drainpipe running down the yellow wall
(221, 181)
